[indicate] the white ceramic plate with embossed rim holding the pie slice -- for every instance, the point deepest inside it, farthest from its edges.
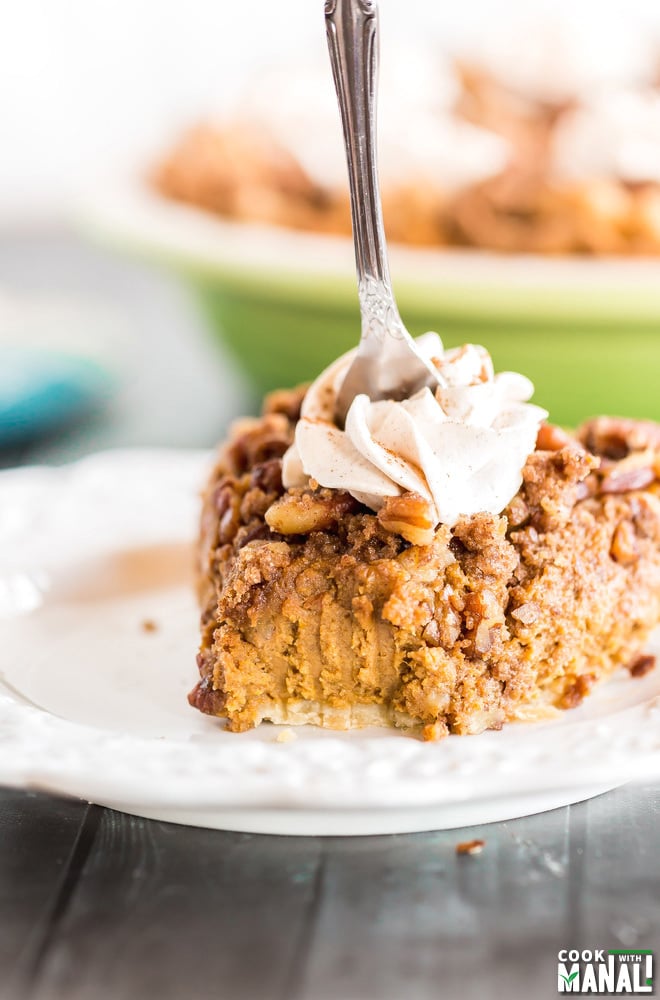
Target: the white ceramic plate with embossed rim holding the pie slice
(92, 704)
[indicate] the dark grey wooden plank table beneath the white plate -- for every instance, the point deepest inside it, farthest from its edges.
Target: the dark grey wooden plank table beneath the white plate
(96, 905)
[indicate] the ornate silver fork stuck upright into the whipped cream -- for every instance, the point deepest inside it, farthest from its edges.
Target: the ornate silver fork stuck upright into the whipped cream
(387, 365)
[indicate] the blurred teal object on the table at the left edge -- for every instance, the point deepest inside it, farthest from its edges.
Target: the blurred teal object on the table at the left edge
(43, 390)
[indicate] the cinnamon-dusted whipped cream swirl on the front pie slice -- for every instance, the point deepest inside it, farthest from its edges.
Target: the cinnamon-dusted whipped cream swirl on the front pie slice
(461, 446)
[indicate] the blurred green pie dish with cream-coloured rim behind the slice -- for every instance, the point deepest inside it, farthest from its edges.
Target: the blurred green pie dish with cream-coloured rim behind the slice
(586, 332)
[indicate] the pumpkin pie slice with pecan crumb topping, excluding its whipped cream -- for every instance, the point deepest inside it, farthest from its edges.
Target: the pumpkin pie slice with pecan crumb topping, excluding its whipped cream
(318, 609)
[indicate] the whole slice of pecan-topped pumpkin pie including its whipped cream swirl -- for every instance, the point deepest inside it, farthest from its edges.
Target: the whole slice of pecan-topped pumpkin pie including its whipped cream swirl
(444, 563)
